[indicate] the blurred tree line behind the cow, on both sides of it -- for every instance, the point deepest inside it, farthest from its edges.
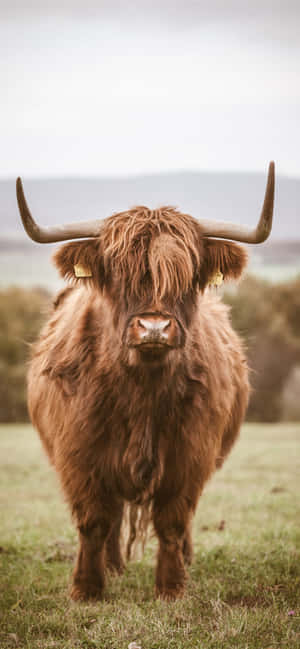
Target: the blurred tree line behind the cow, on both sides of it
(267, 316)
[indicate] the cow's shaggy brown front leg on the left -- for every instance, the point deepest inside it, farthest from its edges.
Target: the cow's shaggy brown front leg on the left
(94, 528)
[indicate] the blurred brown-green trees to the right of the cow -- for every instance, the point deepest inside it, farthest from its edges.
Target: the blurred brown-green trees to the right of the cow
(267, 316)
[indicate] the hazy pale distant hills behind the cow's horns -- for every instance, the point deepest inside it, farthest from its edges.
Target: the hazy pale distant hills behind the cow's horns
(226, 196)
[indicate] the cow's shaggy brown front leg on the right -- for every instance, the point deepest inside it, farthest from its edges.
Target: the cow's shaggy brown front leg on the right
(171, 523)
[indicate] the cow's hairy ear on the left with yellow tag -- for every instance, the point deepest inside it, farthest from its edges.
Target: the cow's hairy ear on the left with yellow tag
(80, 261)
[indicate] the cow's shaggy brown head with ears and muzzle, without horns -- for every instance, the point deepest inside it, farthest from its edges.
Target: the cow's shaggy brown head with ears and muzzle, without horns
(151, 265)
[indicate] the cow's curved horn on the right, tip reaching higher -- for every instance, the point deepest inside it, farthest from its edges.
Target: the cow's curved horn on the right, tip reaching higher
(242, 233)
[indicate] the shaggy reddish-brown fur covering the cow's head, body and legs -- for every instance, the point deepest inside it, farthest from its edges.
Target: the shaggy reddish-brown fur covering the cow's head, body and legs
(122, 430)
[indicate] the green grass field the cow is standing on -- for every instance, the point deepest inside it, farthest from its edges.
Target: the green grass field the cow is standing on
(244, 584)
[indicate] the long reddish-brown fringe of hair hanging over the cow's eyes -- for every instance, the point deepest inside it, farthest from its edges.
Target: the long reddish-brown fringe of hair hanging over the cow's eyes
(158, 247)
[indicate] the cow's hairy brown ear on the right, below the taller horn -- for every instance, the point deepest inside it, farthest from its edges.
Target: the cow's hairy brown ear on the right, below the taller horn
(222, 257)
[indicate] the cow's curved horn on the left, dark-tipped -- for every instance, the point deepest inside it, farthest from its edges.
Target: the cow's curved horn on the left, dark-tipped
(59, 233)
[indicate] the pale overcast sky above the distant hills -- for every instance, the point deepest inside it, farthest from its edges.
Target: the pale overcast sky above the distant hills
(110, 88)
